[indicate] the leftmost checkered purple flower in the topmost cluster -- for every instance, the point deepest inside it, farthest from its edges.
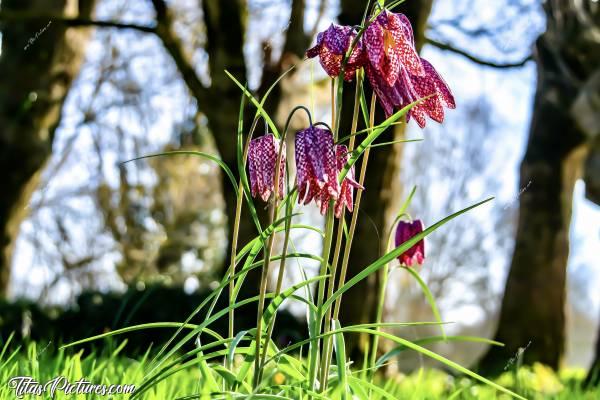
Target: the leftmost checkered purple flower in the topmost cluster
(332, 45)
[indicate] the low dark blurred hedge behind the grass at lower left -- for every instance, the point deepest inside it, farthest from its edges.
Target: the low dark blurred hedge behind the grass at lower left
(95, 312)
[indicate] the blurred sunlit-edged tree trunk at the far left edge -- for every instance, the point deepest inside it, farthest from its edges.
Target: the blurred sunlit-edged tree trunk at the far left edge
(38, 64)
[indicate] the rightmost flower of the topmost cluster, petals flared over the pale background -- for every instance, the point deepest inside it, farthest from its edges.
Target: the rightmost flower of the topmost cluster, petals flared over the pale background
(415, 87)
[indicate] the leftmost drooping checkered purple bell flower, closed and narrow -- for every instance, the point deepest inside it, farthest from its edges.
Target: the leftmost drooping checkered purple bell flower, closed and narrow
(262, 157)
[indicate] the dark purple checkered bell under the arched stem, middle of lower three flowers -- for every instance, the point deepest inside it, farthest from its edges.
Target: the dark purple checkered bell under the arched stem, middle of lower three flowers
(315, 164)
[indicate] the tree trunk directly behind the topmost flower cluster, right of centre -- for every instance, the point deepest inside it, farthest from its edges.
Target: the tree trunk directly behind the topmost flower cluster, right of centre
(381, 196)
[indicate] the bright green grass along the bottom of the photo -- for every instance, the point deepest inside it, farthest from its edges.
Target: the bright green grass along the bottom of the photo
(44, 363)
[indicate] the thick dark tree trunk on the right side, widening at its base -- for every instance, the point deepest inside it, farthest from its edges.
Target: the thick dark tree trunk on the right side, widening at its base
(532, 313)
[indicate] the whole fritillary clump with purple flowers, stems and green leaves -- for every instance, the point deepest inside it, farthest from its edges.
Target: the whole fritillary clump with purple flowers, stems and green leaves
(382, 50)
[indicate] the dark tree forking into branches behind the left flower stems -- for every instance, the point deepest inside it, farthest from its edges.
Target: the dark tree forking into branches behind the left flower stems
(220, 102)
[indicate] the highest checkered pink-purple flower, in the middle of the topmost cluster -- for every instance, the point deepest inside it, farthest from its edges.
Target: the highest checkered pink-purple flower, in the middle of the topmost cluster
(390, 45)
